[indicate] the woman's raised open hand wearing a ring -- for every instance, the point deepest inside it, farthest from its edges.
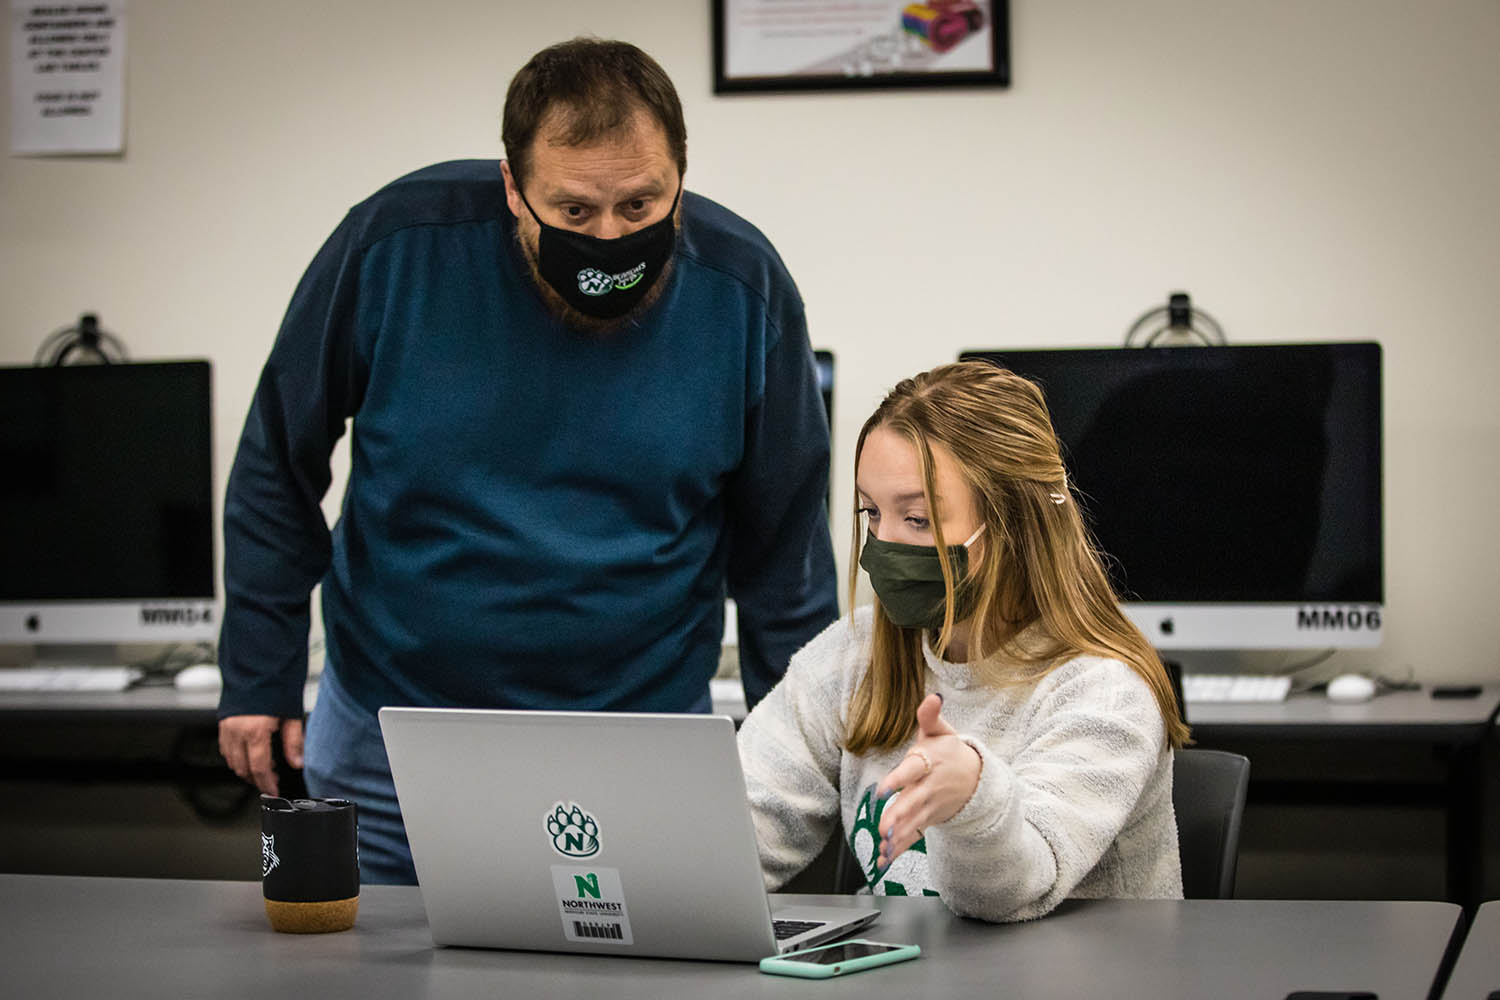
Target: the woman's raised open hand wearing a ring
(937, 779)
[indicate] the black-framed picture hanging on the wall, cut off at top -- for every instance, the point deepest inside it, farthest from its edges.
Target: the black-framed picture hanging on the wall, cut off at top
(839, 44)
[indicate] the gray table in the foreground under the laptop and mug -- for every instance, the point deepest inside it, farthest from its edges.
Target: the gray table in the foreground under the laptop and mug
(65, 938)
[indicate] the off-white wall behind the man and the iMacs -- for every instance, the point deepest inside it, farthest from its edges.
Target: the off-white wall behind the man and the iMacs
(1307, 170)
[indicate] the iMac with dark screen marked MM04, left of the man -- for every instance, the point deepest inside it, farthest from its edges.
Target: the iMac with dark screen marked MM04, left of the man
(107, 504)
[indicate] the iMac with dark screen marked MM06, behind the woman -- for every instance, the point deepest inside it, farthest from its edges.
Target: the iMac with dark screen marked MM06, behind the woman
(1235, 491)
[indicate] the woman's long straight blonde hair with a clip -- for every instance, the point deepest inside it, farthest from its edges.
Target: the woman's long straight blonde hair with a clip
(1040, 593)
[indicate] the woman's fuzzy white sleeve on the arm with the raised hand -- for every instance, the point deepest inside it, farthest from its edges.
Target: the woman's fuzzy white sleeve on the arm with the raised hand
(1039, 824)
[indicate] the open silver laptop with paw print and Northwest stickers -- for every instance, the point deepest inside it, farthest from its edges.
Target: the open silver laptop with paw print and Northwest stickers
(599, 833)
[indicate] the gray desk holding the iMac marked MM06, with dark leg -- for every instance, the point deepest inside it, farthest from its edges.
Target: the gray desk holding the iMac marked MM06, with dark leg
(1361, 755)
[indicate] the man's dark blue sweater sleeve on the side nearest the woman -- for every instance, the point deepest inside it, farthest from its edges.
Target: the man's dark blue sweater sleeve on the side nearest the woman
(781, 555)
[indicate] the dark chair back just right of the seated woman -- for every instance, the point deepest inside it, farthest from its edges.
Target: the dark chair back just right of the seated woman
(1208, 795)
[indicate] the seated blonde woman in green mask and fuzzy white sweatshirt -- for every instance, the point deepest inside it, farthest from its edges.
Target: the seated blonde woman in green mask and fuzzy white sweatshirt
(994, 731)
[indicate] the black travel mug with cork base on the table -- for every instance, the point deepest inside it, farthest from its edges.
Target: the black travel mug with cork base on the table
(310, 864)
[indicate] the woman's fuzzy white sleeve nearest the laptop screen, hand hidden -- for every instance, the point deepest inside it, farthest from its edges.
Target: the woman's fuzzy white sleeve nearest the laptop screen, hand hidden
(791, 758)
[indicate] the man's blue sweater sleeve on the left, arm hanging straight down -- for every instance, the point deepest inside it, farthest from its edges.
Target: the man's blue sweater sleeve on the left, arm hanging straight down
(277, 543)
